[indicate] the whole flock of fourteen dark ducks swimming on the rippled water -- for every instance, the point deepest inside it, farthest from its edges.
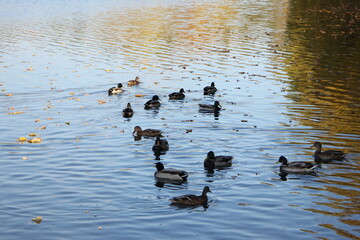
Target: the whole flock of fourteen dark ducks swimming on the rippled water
(211, 161)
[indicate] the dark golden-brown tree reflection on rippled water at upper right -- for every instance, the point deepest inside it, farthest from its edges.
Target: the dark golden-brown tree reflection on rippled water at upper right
(324, 67)
